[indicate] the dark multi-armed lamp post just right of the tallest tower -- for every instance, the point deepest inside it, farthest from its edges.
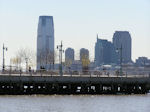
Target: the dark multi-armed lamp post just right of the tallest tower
(59, 47)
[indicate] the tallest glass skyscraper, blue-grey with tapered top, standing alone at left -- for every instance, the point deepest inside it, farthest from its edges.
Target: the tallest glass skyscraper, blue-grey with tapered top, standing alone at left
(45, 43)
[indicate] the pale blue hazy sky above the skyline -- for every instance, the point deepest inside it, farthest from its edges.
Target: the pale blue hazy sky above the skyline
(76, 23)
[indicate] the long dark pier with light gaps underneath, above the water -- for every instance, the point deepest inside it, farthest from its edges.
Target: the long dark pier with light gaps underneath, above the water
(27, 85)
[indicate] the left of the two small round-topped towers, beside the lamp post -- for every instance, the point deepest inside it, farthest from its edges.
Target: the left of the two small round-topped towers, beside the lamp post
(69, 55)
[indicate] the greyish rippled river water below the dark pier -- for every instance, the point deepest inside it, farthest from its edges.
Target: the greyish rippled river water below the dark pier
(77, 103)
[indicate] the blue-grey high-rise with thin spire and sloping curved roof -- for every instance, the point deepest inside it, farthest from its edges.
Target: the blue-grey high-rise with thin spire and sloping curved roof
(105, 52)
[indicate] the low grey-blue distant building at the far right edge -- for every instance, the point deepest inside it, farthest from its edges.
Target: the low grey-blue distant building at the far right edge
(142, 61)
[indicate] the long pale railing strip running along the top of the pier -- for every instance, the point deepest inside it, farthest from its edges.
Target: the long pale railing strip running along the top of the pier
(53, 73)
